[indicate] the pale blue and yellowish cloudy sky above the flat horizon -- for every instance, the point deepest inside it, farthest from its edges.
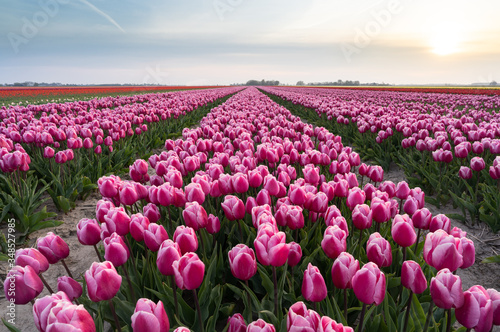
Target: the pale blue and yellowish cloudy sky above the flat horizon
(207, 42)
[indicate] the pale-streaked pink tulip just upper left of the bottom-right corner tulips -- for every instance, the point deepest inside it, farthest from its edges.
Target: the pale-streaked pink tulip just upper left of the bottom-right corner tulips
(446, 290)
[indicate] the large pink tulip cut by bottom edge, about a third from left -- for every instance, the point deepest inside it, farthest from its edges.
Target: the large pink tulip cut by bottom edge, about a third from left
(150, 317)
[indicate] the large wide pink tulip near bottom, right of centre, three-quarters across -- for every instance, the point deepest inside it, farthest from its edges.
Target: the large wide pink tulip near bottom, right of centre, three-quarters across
(369, 284)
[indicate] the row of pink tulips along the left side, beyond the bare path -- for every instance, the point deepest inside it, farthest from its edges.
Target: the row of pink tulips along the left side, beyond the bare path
(69, 146)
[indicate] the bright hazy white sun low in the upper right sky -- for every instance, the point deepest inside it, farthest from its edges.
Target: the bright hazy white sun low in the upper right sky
(445, 39)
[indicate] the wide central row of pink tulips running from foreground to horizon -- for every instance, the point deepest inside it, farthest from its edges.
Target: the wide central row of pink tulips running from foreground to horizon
(256, 191)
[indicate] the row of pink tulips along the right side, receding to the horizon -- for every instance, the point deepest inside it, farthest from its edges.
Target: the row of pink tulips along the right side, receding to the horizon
(433, 137)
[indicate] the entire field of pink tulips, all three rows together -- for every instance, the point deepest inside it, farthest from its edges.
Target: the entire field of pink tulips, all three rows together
(252, 209)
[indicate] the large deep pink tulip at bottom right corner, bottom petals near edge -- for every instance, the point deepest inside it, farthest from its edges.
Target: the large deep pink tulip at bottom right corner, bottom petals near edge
(476, 312)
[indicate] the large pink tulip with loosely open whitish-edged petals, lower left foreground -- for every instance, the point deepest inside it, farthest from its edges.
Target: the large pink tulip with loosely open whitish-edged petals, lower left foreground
(103, 282)
